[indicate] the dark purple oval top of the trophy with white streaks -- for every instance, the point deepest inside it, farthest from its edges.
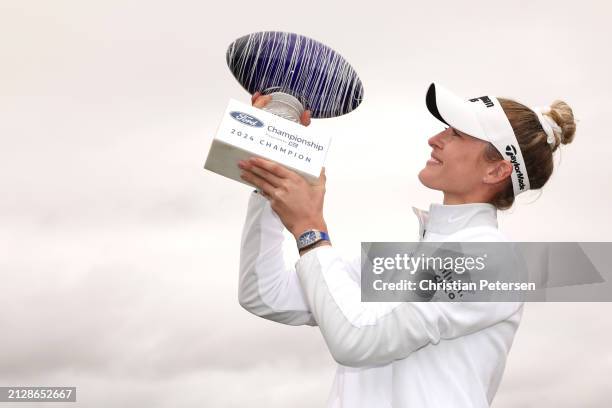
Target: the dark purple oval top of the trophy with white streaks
(300, 72)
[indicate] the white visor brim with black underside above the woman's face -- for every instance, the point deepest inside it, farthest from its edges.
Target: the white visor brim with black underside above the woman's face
(453, 111)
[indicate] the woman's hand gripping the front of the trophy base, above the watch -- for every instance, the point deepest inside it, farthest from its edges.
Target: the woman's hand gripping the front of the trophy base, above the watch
(298, 203)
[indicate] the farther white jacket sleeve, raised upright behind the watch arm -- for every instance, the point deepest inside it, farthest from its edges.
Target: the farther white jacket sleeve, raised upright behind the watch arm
(267, 286)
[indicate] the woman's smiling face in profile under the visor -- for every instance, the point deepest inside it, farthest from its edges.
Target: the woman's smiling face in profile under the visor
(457, 165)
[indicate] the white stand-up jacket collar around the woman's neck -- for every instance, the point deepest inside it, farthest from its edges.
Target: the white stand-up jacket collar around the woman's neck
(447, 219)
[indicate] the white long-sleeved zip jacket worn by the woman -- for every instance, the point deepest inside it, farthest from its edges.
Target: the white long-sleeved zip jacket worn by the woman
(411, 354)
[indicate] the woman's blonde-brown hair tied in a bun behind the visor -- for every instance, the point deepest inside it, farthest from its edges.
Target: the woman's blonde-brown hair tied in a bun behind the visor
(538, 154)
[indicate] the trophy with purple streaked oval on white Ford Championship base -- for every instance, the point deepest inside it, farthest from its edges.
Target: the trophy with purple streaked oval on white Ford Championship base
(298, 73)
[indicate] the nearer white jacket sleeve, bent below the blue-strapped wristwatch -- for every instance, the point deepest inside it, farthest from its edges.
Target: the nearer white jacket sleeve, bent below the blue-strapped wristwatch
(365, 334)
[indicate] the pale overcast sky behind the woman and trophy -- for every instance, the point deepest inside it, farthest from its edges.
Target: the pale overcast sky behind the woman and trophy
(119, 253)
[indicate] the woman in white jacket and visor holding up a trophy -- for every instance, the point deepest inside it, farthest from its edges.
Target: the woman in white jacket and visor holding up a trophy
(404, 354)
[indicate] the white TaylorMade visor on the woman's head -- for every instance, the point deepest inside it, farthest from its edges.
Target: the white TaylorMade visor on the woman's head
(483, 118)
